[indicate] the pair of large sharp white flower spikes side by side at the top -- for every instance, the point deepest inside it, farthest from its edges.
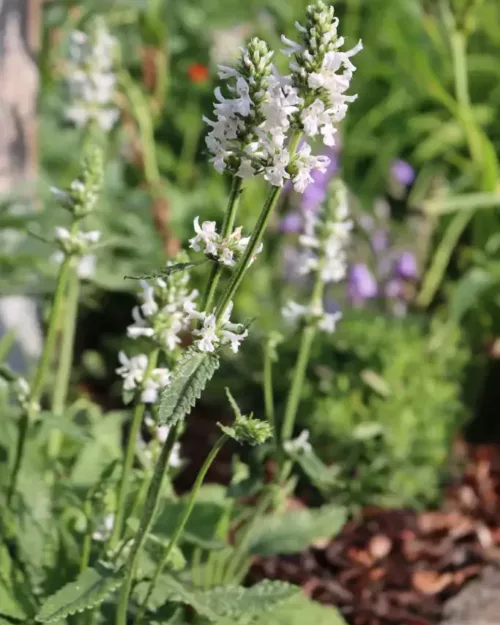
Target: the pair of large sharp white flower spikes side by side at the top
(254, 128)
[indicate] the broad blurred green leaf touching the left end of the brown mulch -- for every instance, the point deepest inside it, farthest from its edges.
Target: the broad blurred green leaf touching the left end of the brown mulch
(293, 531)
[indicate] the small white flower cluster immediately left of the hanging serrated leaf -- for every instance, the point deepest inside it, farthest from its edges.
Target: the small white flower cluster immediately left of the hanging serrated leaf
(133, 371)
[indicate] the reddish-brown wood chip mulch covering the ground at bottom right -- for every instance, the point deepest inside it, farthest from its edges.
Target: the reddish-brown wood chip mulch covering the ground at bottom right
(399, 567)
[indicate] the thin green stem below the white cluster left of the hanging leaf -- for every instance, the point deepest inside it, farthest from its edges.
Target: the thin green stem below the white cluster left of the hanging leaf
(129, 458)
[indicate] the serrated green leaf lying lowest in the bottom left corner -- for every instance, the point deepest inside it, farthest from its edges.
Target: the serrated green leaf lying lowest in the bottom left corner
(87, 591)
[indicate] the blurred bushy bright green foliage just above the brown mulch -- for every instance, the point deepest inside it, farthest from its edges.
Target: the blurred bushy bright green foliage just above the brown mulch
(386, 420)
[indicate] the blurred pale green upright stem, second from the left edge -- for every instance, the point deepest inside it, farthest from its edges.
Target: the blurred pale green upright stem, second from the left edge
(63, 375)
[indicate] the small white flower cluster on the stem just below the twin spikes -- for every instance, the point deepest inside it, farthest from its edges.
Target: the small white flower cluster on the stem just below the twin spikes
(226, 251)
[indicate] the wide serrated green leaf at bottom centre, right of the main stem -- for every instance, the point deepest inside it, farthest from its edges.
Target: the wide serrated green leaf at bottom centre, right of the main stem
(229, 601)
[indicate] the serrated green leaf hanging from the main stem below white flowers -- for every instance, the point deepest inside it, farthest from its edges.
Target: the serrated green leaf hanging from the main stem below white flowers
(189, 380)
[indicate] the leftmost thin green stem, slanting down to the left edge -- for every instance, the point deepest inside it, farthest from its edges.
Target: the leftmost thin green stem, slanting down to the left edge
(40, 374)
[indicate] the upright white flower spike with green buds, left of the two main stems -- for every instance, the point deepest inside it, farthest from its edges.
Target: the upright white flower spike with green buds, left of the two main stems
(161, 316)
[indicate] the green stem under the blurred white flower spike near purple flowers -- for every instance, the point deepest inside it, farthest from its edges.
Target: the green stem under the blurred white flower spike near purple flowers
(295, 392)
